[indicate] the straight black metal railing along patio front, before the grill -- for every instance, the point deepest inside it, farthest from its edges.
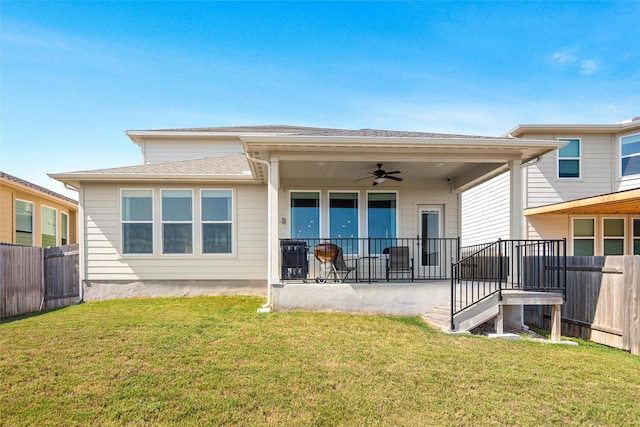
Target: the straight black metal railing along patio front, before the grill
(368, 259)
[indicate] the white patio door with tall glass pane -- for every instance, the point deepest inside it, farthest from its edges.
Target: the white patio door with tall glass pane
(431, 248)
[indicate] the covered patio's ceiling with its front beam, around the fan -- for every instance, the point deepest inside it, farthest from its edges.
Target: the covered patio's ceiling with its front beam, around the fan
(465, 161)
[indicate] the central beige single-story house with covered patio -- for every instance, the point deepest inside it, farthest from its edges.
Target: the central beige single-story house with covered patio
(205, 212)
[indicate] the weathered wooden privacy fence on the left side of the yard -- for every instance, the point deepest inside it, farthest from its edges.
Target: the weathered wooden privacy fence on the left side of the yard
(33, 279)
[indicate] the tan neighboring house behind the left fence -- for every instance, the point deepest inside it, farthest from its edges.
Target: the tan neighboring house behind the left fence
(32, 215)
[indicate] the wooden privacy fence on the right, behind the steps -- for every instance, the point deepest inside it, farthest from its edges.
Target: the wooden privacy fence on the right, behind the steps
(602, 302)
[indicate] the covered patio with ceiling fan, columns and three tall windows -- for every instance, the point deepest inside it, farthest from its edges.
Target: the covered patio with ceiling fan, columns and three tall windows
(322, 186)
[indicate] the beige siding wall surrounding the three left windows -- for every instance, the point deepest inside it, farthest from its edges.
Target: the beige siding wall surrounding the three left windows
(104, 262)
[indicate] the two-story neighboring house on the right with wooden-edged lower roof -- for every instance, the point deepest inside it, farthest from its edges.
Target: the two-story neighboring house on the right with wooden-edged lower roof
(587, 192)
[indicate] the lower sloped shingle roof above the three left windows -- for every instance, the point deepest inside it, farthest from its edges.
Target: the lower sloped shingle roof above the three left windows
(212, 166)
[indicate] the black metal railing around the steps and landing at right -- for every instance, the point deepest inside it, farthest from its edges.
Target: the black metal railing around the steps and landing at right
(484, 270)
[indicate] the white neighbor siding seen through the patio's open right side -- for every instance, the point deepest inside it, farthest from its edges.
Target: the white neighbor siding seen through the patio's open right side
(485, 212)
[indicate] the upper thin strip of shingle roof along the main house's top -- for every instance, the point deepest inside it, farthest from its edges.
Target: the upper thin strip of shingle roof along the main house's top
(314, 131)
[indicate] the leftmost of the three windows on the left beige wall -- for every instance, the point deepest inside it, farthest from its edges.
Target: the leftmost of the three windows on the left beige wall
(137, 221)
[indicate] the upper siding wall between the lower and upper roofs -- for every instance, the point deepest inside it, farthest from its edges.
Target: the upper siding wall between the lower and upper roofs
(176, 150)
